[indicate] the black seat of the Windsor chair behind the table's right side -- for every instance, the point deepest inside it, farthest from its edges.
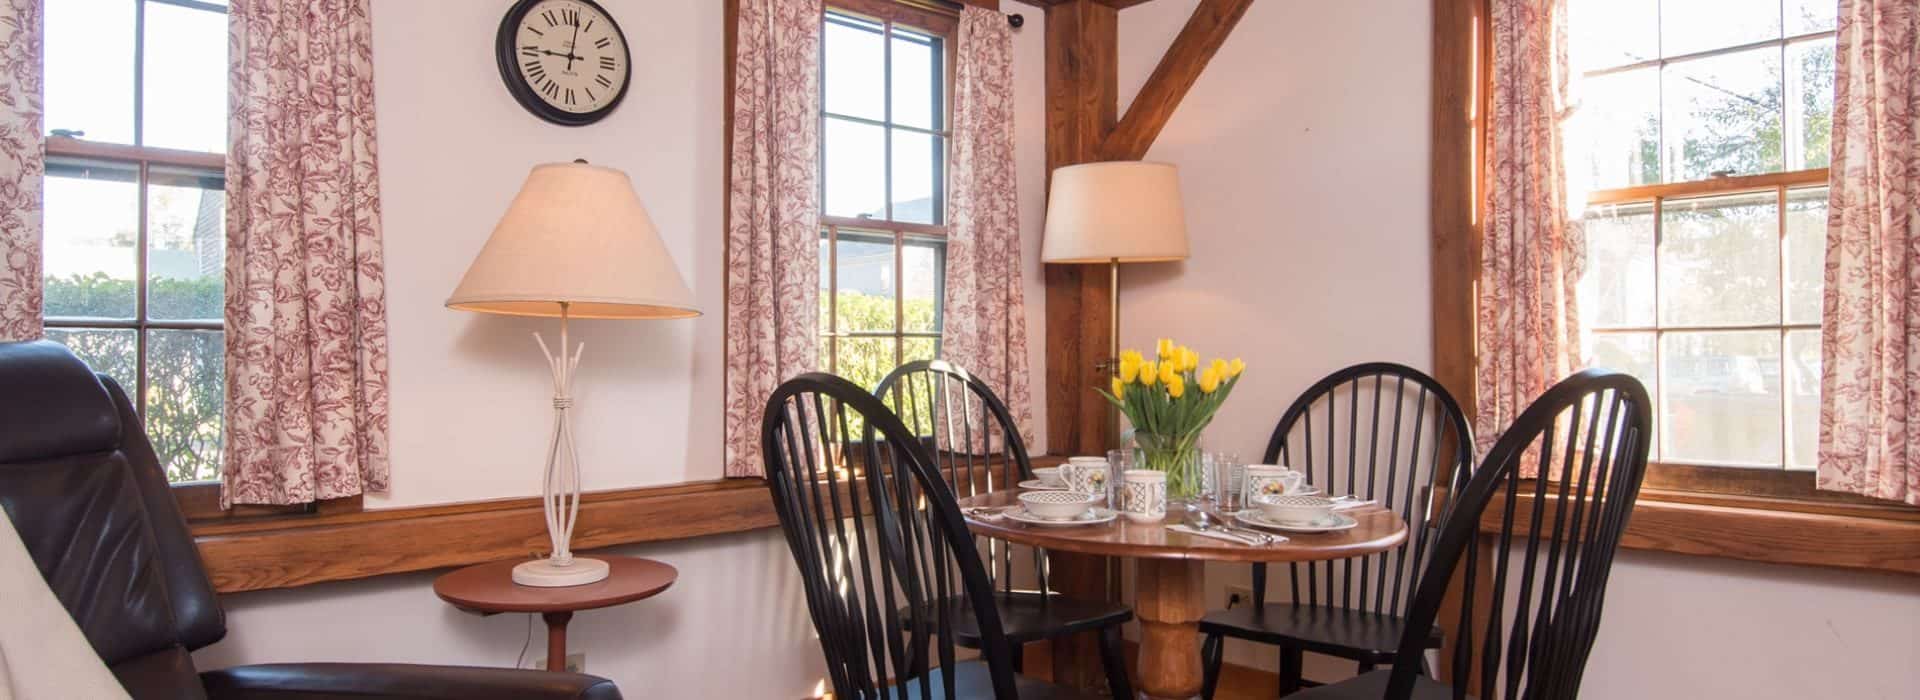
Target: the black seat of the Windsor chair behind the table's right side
(1337, 632)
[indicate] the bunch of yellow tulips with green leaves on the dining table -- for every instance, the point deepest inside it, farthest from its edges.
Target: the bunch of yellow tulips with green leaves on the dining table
(1170, 400)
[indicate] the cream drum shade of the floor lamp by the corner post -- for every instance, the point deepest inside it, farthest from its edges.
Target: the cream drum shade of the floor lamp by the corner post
(1124, 212)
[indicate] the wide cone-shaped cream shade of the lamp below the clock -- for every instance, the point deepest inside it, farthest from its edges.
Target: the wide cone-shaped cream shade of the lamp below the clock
(577, 233)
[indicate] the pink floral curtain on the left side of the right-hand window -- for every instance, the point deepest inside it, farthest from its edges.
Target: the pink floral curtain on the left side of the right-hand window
(1527, 333)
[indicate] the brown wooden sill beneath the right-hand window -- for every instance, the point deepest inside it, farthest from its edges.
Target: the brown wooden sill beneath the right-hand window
(1764, 530)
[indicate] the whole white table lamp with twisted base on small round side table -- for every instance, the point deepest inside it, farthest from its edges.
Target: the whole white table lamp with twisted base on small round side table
(575, 245)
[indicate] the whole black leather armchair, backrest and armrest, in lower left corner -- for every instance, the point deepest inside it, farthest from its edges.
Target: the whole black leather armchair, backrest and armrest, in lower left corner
(93, 507)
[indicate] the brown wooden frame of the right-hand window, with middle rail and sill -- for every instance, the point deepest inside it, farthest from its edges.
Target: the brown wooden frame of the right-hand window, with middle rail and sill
(1769, 517)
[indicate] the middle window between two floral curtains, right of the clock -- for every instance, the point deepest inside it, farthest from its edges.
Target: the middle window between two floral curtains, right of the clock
(884, 187)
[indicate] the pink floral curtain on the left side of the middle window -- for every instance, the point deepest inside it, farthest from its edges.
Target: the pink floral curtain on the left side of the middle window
(773, 241)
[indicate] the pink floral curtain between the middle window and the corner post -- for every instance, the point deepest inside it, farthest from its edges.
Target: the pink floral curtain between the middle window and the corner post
(984, 325)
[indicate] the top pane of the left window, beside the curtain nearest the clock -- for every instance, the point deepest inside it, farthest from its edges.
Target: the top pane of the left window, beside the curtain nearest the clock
(185, 89)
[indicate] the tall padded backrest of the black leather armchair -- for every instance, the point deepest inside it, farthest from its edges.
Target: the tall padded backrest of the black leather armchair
(82, 484)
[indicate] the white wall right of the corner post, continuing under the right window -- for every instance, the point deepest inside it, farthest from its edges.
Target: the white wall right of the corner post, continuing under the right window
(1303, 156)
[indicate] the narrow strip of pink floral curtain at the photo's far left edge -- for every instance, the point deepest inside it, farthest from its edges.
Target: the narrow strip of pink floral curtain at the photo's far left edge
(22, 168)
